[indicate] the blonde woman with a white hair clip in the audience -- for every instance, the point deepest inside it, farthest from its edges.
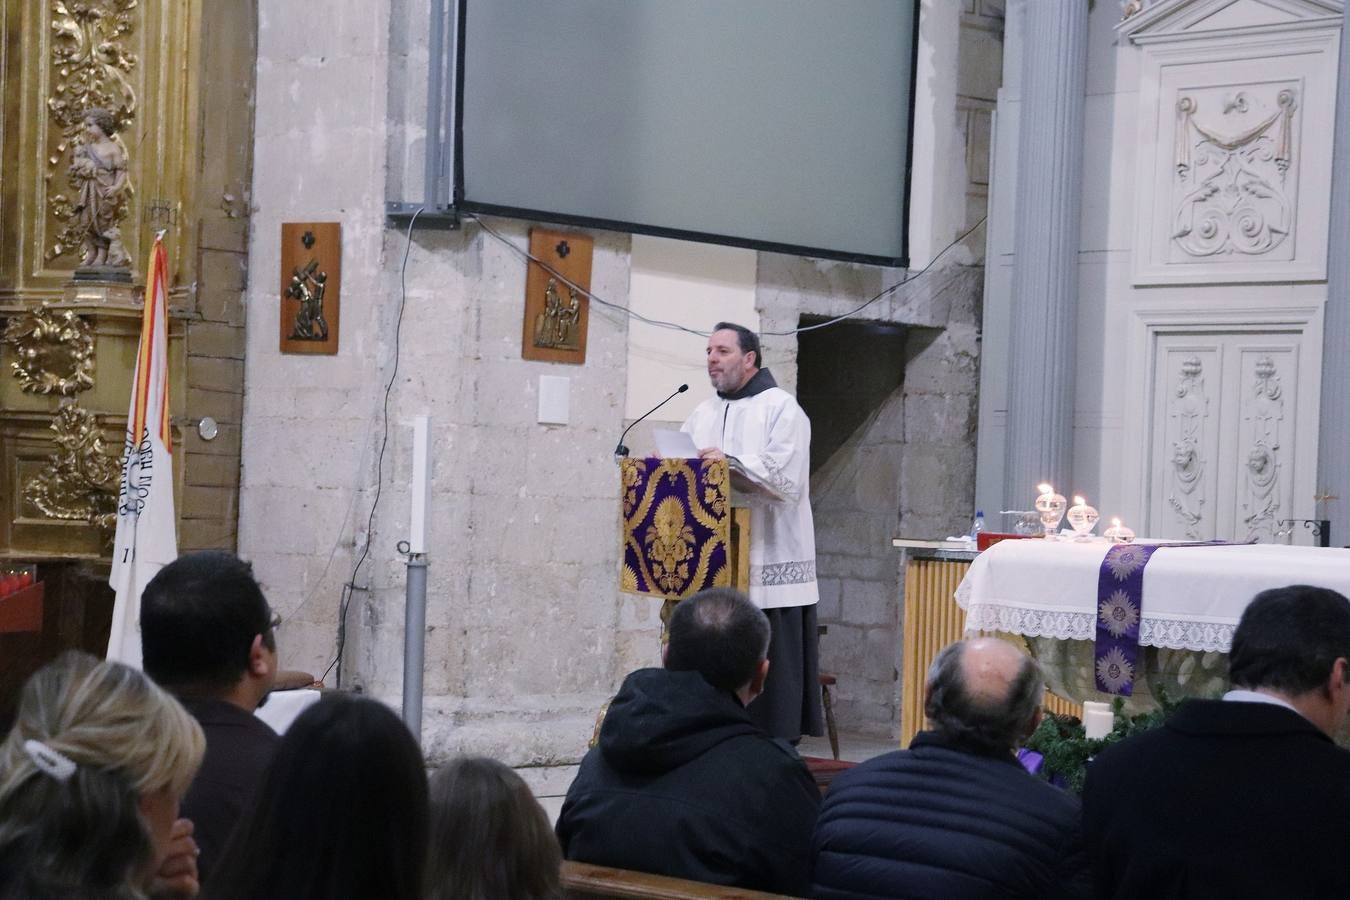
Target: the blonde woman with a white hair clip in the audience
(91, 777)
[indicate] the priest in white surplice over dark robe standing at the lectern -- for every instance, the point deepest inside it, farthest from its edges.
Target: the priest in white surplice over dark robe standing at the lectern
(766, 438)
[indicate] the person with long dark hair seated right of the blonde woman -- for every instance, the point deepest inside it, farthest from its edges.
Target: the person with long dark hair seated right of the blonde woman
(342, 813)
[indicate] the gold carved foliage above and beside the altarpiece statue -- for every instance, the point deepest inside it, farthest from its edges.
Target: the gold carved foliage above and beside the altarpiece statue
(90, 68)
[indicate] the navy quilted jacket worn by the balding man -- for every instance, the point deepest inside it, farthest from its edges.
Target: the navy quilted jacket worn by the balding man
(940, 821)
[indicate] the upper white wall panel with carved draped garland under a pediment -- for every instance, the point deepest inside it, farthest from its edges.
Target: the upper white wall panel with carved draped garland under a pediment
(1235, 172)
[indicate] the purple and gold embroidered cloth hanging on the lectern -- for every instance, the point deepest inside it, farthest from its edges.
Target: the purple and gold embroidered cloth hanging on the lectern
(676, 523)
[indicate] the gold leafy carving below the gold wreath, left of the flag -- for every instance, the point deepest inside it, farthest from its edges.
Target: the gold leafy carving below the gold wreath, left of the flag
(80, 482)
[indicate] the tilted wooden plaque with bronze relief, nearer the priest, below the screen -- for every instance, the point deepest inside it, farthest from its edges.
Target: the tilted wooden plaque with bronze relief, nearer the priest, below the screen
(557, 312)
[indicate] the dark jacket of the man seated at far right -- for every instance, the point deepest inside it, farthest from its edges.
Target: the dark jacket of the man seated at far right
(1226, 801)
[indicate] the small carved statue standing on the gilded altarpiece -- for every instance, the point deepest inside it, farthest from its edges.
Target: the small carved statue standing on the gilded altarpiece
(99, 173)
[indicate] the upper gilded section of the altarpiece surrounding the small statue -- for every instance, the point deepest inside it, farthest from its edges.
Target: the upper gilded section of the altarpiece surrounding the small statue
(137, 60)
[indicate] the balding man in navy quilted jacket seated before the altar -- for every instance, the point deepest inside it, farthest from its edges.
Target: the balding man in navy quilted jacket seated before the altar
(956, 816)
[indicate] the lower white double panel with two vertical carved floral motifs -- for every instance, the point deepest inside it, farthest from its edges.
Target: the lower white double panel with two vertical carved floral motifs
(1226, 455)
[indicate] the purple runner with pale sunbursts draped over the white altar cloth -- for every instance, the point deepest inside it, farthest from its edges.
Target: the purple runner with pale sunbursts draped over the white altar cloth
(1120, 611)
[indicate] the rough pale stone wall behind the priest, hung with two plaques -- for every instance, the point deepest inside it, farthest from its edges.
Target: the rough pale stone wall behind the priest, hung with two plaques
(527, 634)
